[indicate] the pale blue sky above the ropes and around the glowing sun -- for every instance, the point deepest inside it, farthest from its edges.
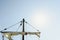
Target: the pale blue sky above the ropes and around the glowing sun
(12, 11)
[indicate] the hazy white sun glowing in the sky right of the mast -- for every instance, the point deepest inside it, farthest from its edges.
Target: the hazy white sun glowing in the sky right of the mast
(39, 19)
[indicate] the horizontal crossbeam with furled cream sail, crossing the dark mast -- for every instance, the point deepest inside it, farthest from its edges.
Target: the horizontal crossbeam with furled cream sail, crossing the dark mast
(8, 33)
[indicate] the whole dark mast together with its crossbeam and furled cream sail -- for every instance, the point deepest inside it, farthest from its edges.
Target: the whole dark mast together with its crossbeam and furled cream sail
(8, 34)
